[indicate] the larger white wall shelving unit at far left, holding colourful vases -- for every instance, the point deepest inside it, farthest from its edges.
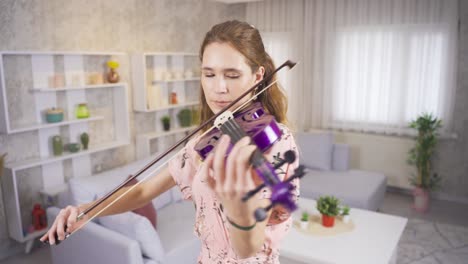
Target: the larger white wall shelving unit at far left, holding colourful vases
(27, 75)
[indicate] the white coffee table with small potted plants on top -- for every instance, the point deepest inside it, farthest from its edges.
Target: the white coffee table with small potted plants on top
(373, 240)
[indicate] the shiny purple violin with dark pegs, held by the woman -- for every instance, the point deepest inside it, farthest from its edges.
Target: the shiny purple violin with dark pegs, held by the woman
(262, 128)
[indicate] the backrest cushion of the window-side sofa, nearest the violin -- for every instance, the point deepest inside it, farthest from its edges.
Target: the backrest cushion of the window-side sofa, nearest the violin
(315, 149)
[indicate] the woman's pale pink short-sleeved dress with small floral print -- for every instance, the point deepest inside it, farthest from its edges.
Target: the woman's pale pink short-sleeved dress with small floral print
(211, 224)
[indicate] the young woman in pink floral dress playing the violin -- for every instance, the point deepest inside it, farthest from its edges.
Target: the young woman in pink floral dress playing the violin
(233, 59)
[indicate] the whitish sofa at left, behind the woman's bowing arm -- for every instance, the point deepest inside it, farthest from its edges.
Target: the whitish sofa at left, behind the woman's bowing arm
(123, 239)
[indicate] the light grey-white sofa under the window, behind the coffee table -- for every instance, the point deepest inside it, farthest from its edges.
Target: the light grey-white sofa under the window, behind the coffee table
(330, 173)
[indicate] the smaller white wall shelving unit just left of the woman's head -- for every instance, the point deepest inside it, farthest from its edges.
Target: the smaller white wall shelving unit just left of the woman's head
(155, 76)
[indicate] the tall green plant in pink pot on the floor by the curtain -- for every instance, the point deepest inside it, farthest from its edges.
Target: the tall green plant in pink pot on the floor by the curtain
(420, 156)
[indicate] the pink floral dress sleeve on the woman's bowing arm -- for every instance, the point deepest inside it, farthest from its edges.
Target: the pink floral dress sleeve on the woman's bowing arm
(183, 169)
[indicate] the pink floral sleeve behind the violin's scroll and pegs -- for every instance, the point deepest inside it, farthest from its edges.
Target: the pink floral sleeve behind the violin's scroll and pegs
(274, 155)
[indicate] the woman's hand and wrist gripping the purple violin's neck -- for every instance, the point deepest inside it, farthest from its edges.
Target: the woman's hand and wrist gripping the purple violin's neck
(232, 178)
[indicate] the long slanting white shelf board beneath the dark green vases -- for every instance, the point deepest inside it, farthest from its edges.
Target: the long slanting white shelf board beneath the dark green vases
(24, 164)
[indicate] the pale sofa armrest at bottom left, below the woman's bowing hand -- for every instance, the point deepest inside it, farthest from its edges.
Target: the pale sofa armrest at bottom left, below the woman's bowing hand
(94, 244)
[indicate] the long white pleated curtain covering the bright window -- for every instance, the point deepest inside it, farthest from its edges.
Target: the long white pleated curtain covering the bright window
(368, 65)
